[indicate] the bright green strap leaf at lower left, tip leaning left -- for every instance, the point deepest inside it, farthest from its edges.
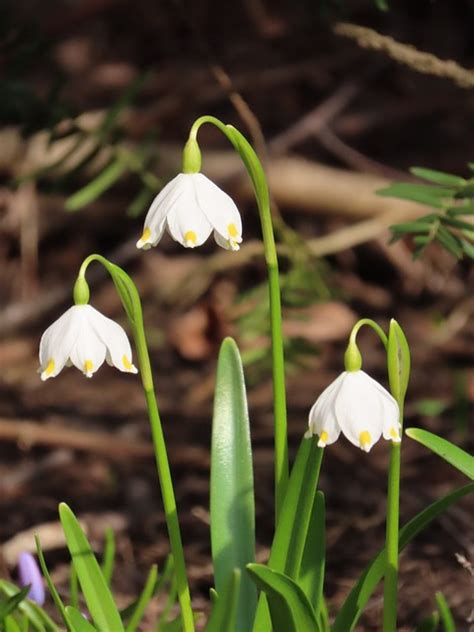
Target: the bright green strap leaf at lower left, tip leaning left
(97, 594)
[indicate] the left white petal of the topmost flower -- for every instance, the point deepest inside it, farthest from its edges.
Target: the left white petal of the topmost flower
(160, 207)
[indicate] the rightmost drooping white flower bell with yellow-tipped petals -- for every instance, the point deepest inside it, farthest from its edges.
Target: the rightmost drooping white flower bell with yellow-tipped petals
(359, 407)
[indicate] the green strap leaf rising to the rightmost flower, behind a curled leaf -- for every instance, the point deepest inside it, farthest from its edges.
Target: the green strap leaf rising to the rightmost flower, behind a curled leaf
(293, 526)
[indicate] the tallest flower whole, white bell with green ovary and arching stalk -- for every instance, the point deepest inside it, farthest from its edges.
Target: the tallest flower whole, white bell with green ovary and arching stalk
(190, 207)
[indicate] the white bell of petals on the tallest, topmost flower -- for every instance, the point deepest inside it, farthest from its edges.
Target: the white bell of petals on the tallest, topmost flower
(190, 207)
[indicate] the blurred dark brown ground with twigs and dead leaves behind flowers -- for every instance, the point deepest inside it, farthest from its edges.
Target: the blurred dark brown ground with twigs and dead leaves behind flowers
(97, 97)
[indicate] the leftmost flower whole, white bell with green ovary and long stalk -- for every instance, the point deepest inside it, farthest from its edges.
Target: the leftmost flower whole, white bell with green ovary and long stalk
(102, 339)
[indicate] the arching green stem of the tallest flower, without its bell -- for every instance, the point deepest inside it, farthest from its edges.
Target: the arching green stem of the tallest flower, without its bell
(257, 176)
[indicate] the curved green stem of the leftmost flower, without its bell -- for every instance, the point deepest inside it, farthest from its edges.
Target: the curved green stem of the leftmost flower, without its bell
(132, 305)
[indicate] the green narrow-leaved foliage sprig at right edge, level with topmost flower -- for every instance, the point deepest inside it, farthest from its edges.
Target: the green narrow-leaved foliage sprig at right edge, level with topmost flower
(452, 198)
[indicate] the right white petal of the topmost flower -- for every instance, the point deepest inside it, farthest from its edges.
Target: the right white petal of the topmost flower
(220, 210)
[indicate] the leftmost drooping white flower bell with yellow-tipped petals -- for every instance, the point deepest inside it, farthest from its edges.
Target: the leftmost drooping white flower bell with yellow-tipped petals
(84, 337)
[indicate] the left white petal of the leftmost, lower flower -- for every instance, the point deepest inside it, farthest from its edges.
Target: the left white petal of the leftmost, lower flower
(58, 341)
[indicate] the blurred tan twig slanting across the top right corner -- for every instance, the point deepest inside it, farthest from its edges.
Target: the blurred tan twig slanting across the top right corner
(408, 55)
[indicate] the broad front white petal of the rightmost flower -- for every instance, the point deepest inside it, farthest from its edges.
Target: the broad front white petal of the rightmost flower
(359, 410)
